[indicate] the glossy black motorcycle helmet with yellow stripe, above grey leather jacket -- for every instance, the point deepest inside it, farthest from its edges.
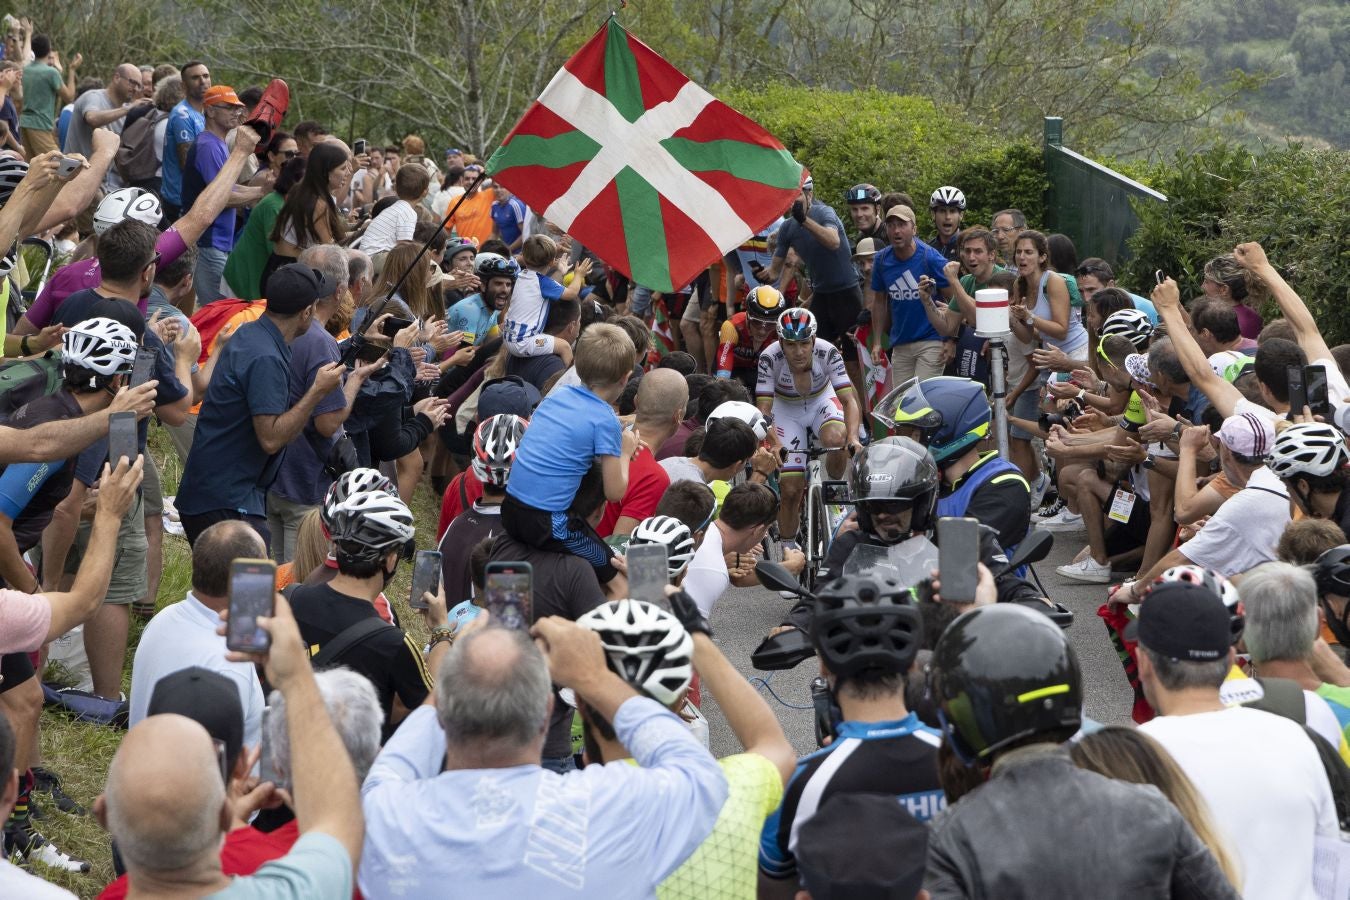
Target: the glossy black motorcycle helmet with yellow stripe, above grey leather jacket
(1002, 674)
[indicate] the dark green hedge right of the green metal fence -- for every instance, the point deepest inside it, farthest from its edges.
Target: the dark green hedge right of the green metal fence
(1295, 202)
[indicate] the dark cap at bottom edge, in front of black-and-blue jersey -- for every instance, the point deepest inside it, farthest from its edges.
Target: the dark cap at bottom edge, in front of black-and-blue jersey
(862, 847)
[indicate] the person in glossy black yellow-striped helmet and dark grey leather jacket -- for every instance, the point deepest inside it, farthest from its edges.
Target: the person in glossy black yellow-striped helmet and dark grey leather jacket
(1010, 694)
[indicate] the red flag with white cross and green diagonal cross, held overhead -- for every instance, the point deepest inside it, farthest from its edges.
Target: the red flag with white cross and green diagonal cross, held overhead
(642, 165)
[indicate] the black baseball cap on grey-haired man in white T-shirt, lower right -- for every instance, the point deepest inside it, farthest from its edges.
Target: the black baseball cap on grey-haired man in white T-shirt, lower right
(1186, 623)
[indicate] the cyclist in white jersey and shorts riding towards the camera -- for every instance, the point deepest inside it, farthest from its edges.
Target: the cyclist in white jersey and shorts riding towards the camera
(803, 384)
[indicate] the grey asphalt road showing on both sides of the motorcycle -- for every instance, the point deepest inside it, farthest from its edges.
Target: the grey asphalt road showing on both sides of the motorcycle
(746, 616)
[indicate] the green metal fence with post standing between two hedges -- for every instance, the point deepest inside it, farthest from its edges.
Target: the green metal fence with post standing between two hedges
(1087, 202)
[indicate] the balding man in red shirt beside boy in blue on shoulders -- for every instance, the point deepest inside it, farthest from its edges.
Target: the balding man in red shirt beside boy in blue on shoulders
(661, 408)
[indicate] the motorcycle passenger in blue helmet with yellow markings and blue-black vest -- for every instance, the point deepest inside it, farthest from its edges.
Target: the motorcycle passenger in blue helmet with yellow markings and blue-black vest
(951, 416)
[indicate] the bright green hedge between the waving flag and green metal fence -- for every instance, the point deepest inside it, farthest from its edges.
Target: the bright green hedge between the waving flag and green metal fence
(897, 144)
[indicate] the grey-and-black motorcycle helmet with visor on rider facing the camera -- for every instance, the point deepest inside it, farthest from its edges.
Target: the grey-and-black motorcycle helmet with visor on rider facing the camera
(893, 476)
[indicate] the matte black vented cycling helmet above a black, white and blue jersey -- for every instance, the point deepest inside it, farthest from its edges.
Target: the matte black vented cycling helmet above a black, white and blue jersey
(866, 624)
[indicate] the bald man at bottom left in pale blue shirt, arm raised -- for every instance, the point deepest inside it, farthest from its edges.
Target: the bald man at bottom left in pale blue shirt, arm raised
(167, 805)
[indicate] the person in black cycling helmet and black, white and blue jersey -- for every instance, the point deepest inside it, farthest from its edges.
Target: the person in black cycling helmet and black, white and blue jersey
(880, 747)
